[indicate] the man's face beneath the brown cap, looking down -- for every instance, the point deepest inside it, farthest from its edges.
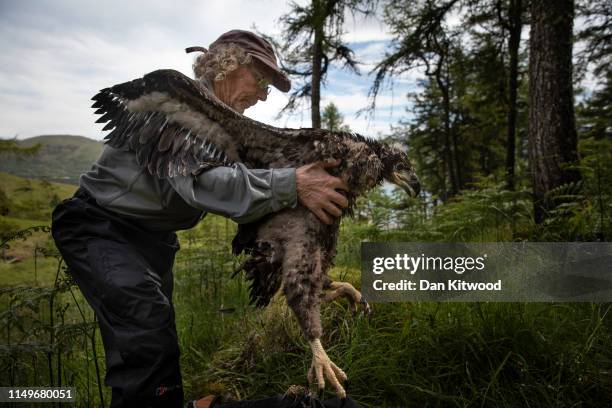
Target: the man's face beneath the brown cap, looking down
(242, 88)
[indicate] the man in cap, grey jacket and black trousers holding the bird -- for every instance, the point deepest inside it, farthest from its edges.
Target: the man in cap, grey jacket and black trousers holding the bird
(117, 234)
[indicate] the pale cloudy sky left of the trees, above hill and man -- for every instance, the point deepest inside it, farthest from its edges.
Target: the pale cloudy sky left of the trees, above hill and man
(56, 55)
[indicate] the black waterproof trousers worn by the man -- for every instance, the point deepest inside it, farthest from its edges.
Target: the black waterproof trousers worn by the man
(125, 273)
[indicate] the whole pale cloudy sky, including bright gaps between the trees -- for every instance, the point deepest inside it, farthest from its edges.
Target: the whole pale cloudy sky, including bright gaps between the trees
(55, 55)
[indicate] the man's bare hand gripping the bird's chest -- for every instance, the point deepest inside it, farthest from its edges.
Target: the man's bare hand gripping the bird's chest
(316, 190)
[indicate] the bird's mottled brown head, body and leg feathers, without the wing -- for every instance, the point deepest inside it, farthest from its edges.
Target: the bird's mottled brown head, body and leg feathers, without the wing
(292, 247)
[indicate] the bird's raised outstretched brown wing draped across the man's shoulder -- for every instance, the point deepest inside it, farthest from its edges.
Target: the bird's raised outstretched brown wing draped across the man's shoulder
(176, 126)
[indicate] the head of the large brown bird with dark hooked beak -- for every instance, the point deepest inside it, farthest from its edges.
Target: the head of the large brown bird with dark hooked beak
(398, 170)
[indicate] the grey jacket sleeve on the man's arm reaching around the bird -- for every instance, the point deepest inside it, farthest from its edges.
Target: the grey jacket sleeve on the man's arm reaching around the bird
(242, 194)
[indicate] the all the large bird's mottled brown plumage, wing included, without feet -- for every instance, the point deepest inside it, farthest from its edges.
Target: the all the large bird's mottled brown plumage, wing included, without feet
(175, 126)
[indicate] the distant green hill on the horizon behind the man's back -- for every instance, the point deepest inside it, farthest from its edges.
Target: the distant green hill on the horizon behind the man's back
(62, 158)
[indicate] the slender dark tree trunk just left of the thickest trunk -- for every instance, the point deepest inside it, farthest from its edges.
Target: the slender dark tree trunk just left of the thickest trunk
(516, 26)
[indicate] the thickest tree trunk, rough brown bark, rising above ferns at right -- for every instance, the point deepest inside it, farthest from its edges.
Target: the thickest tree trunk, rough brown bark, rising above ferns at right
(552, 130)
